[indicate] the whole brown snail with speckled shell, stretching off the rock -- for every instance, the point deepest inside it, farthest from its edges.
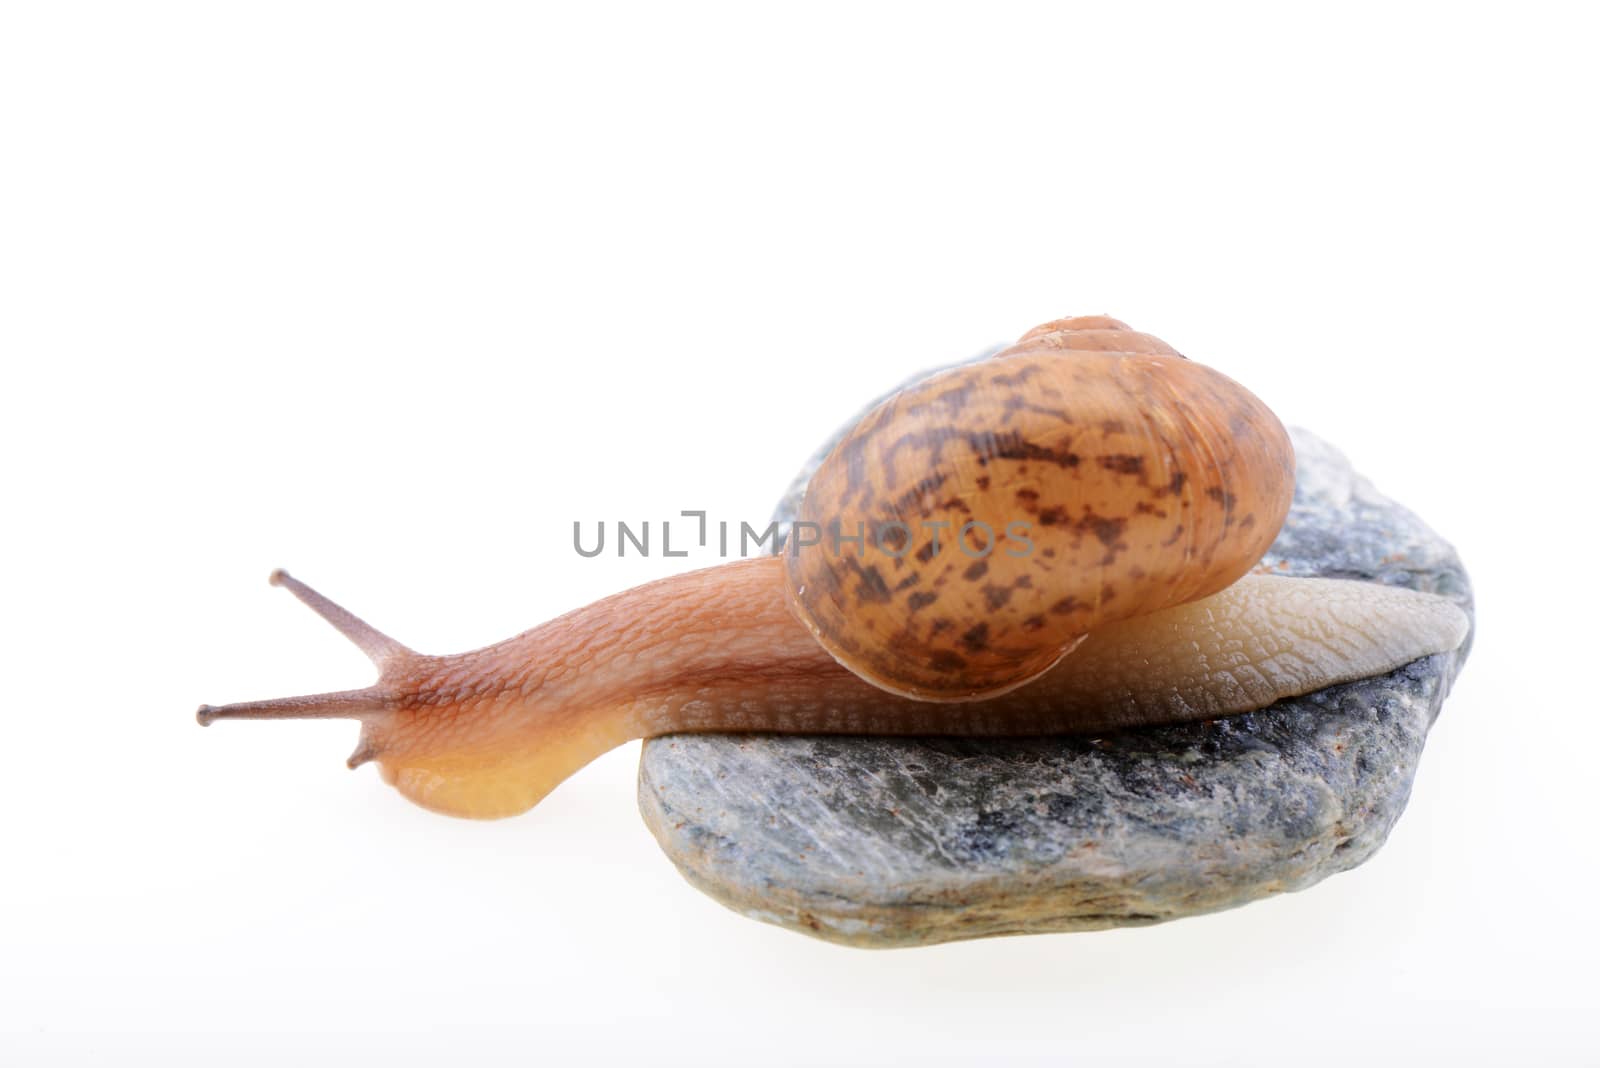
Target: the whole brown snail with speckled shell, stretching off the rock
(1058, 540)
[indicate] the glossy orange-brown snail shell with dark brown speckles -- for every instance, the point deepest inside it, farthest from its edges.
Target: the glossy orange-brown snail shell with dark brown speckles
(1103, 476)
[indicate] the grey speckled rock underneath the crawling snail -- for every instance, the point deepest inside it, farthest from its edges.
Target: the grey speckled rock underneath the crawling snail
(910, 842)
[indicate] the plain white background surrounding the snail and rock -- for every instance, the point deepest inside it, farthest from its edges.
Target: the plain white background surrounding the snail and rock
(393, 293)
